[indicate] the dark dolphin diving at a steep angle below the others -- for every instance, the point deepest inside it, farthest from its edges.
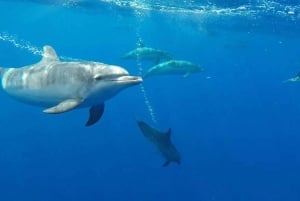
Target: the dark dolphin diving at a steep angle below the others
(162, 141)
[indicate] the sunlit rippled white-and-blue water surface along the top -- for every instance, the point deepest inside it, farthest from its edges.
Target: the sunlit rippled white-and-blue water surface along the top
(252, 9)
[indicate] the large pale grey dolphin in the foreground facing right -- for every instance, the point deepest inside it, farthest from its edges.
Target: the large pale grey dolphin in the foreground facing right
(62, 86)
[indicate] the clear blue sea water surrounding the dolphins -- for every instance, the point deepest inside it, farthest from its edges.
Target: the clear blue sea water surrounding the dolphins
(236, 124)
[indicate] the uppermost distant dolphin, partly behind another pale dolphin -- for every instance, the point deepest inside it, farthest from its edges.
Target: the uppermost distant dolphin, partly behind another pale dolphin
(147, 53)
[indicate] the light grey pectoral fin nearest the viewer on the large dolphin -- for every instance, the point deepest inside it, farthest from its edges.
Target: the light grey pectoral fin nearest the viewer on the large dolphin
(64, 106)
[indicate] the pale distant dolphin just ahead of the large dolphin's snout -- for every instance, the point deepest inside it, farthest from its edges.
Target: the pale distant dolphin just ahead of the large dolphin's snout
(180, 67)
